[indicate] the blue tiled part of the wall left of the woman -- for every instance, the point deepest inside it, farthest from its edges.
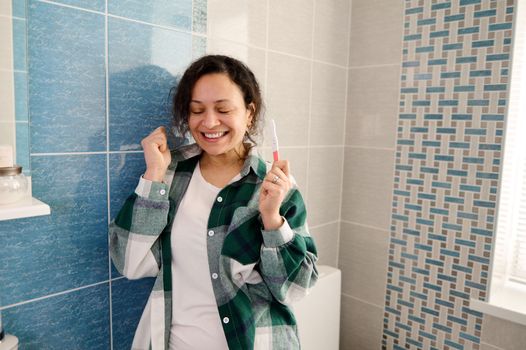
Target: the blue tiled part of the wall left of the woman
(100, 73)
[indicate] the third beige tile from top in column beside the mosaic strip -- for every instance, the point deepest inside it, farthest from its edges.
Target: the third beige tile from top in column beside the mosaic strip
(367, 186)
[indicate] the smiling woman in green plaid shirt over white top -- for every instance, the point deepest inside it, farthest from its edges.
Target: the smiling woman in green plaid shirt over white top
(226, 240)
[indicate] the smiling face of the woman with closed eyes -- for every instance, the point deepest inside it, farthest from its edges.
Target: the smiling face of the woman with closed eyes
(218, 116)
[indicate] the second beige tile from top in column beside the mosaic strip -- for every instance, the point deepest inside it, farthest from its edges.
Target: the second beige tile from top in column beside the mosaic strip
(372, 112)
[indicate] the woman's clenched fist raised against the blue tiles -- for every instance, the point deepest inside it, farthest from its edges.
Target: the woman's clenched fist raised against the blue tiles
(156, 154)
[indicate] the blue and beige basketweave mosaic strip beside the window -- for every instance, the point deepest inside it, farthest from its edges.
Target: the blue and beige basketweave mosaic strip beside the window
(452, 105)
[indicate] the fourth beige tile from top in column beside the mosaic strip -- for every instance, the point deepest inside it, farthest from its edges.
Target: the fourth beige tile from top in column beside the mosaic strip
(363, 261)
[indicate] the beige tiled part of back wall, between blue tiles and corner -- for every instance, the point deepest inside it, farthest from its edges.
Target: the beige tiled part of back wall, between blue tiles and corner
(303, 77)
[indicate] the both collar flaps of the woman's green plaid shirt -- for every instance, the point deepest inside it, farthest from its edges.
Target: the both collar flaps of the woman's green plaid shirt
(253, 161)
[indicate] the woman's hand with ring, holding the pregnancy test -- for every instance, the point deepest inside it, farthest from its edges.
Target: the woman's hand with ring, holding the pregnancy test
(276, 185)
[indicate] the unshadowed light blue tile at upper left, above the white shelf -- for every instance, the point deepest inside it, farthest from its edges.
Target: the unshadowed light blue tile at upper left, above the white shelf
(67, 82)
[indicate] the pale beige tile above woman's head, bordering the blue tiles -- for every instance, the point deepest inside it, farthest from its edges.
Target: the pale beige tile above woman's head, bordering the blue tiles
(238, 20)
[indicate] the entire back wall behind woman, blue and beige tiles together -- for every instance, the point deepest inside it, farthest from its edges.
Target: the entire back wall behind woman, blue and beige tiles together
(100, 72)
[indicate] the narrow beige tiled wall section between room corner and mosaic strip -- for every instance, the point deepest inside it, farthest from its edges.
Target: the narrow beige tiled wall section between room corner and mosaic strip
(372, 113)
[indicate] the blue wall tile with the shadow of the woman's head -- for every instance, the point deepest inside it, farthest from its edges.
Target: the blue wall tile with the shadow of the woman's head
(145, 62)
